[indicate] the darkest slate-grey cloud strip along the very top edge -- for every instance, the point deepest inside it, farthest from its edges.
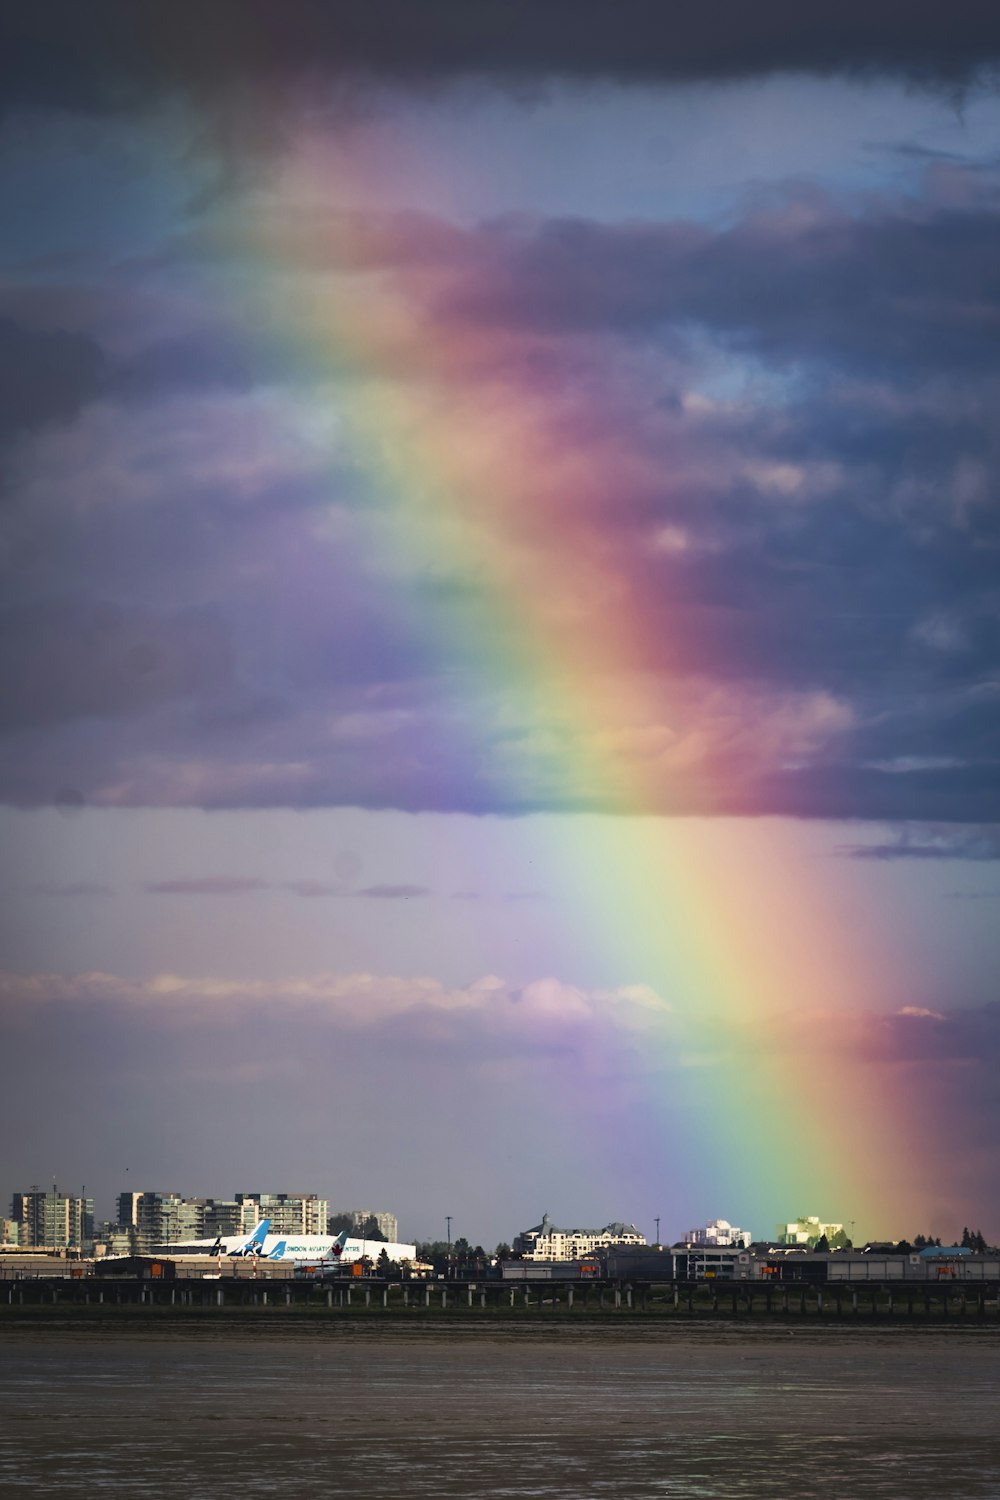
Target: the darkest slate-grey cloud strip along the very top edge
(110, 55)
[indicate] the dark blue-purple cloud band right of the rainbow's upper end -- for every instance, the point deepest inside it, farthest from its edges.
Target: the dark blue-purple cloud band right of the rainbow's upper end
(902, 292)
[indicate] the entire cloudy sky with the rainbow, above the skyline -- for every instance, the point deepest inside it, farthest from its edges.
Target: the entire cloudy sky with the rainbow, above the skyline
(500, 683)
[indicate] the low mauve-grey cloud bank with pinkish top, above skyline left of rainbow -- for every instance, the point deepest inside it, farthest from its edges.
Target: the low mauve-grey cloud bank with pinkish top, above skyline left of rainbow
(395, 1067)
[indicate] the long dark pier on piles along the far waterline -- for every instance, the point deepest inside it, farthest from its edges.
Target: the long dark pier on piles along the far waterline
(642, 1283)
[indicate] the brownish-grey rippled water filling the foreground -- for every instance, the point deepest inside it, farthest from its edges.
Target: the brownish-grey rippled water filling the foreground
(677, 1414)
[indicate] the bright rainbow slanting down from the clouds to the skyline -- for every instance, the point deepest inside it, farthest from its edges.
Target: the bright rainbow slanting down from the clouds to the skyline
(488, 470)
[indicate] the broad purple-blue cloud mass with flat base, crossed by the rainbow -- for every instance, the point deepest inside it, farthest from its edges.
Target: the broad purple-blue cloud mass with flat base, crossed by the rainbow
(197, 614)
